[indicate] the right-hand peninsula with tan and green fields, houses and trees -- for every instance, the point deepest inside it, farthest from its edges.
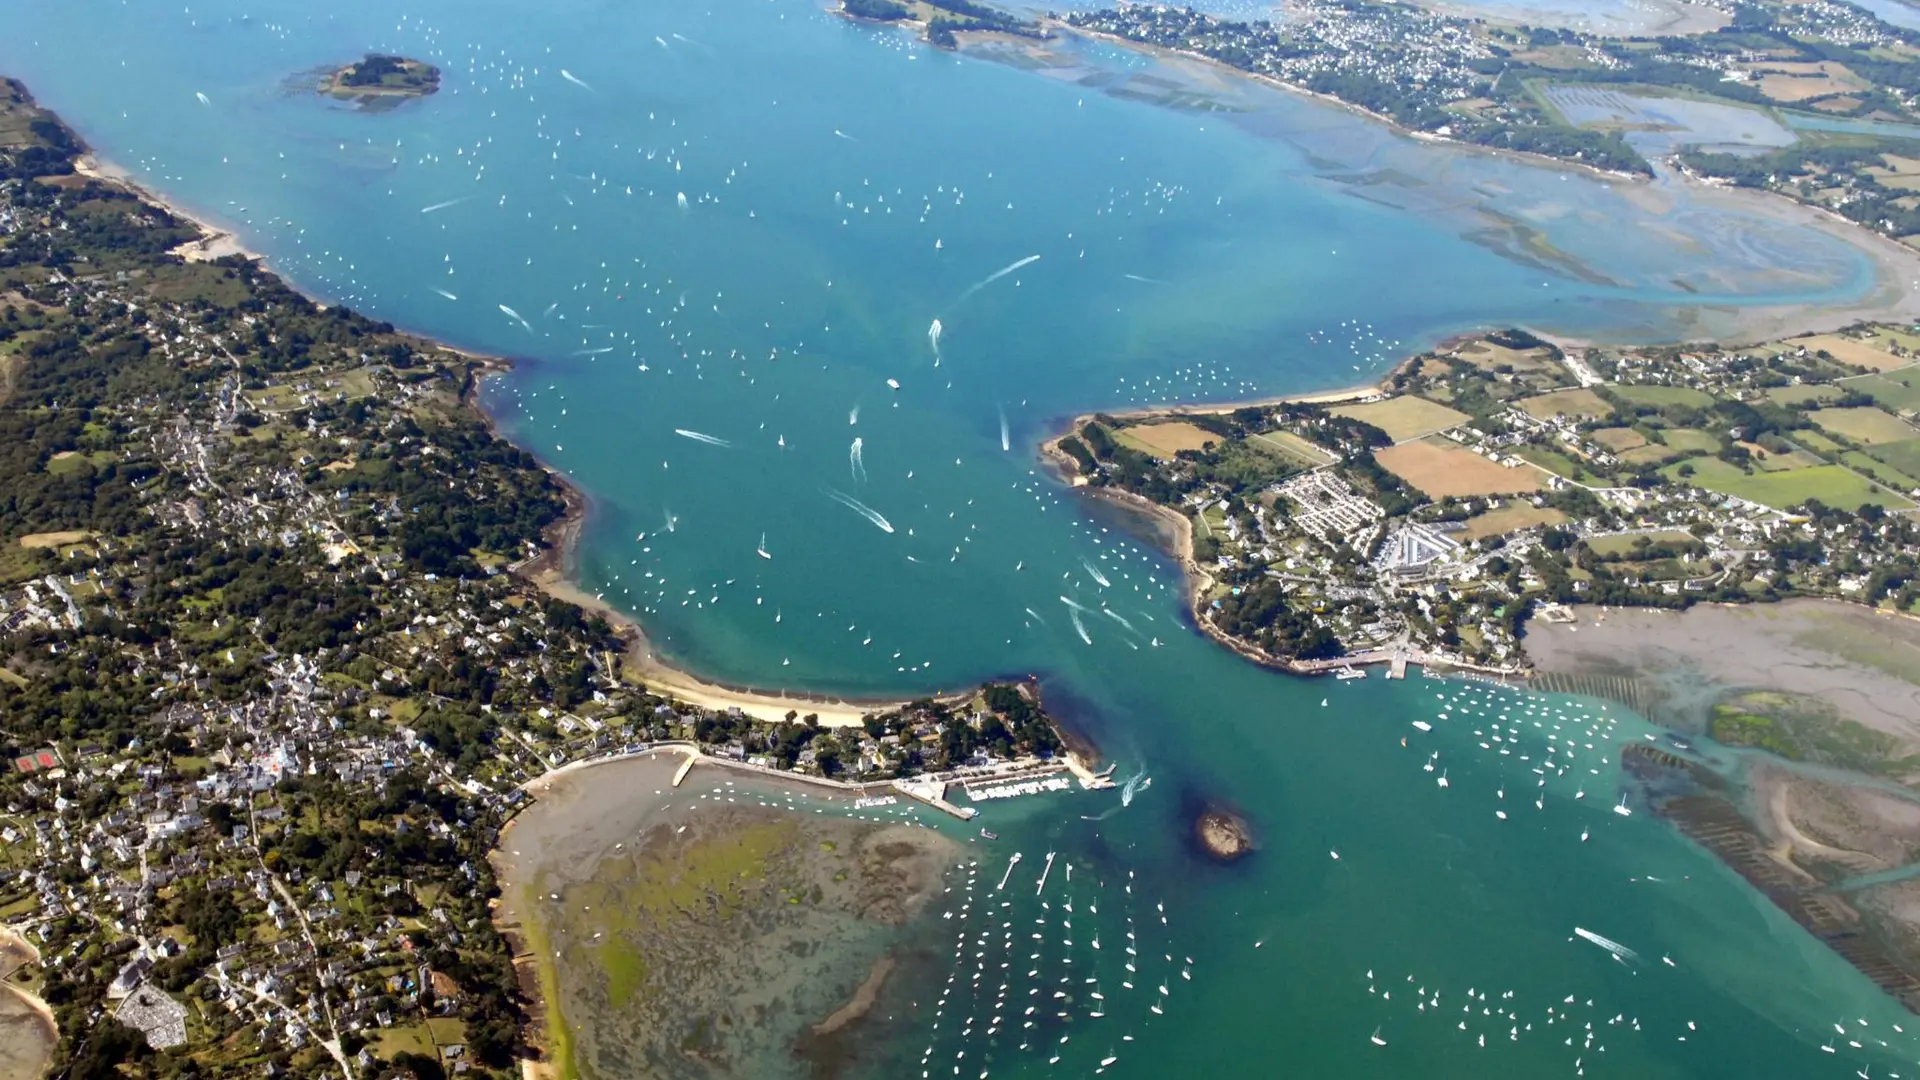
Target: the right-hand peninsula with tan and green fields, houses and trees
(1504, 478)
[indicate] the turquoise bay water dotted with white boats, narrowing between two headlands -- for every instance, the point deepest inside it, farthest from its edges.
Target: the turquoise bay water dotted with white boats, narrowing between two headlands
(844, 189)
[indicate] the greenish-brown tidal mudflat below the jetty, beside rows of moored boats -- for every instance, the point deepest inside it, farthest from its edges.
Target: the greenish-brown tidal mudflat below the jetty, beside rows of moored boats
(723, 927)
